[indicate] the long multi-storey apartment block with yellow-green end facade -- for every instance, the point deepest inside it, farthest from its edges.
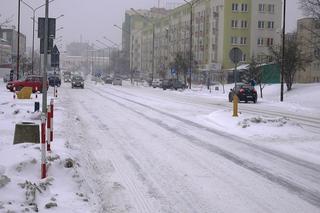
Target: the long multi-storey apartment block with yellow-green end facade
(218, 26)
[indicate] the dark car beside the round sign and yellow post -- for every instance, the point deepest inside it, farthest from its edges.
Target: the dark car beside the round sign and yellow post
(245, 92)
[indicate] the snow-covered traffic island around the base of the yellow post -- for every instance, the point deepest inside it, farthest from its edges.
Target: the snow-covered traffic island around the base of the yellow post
(257, 127)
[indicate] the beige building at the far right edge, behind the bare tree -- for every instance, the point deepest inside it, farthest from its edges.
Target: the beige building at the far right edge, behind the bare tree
(308, 30)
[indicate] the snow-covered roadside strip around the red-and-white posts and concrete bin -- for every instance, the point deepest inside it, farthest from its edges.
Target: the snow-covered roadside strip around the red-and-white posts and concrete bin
(21, 188)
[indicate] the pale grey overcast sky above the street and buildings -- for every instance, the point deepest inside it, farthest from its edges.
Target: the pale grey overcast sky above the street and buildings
(93, 19)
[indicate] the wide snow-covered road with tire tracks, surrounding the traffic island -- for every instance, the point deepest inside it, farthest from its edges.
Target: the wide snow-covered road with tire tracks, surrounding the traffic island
(148, 150)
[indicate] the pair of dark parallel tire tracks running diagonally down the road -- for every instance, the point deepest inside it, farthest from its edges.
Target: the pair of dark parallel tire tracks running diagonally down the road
(312, 197)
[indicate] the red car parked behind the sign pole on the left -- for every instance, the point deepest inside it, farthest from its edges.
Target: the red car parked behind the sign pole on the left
(33, 81)
